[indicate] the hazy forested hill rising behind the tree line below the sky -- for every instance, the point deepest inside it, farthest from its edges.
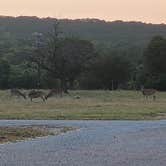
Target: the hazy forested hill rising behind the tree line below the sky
(115, 34)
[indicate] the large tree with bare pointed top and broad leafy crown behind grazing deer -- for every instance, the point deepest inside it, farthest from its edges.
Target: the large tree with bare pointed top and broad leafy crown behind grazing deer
(63, 58)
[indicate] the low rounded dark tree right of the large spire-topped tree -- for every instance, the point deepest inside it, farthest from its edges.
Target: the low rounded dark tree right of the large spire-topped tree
(107, 72)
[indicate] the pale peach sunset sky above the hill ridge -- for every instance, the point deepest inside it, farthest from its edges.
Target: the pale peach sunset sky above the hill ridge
(153, 11)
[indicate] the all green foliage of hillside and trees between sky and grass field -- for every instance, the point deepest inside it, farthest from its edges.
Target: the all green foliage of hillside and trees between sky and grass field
(119, 46)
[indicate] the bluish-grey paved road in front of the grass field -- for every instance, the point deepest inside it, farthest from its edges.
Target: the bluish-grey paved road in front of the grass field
(96, 143)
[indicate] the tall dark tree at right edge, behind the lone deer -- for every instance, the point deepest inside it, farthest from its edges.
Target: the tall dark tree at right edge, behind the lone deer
(155, 63)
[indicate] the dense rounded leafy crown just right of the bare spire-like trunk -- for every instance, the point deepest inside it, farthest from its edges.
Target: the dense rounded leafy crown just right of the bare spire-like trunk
(75, 55)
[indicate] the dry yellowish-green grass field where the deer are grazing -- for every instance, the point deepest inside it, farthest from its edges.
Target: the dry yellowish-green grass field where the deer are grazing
(92, 105)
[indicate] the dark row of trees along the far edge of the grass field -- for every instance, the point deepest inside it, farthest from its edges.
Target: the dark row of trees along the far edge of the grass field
(52, 60)
